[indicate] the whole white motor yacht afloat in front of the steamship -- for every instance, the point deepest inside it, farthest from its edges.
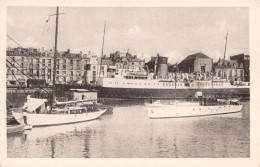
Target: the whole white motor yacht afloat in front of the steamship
(191, 109)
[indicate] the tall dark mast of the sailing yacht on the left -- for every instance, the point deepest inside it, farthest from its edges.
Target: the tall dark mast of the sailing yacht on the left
(55, 56)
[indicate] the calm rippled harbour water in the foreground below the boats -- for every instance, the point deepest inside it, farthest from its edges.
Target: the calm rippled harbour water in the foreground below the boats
(129, 133)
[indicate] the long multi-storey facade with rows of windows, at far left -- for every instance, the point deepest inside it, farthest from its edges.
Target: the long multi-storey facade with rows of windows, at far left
(29, 66)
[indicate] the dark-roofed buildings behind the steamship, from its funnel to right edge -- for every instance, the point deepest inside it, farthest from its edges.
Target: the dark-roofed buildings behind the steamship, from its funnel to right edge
(199, 66)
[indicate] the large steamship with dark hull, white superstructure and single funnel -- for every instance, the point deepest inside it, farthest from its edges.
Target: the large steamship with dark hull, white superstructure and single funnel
(161, 85)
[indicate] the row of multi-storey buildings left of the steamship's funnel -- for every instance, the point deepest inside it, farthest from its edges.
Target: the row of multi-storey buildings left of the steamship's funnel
(27, 66)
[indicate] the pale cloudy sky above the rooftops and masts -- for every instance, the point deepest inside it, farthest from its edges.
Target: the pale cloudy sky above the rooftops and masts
(174, 32)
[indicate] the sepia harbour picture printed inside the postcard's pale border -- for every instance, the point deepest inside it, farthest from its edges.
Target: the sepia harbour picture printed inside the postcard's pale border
(127, 82)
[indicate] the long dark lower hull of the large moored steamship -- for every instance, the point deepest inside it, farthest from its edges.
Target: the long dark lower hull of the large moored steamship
(126, 93)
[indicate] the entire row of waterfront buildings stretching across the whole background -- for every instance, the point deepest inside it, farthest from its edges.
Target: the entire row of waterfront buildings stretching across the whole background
(30, 66)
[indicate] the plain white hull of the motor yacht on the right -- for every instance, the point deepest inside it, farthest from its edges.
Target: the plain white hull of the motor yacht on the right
(168, 111)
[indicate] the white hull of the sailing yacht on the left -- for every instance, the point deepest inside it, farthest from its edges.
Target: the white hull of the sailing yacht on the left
(40, 120)
